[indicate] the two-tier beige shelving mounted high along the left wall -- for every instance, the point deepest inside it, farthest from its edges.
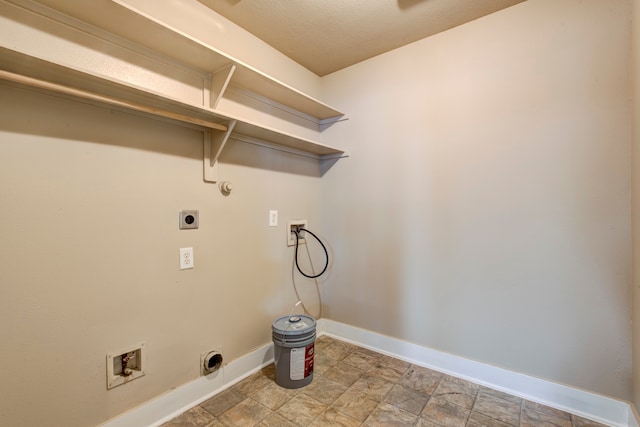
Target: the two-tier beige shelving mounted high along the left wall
(135, 62)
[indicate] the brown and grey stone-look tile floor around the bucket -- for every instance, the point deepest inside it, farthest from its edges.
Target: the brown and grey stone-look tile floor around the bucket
(353, 386)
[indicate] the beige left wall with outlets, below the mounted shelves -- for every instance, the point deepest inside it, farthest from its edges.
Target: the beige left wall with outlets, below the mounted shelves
(89, 254)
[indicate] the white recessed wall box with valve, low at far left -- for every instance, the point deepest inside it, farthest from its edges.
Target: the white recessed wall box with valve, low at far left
(126, 365)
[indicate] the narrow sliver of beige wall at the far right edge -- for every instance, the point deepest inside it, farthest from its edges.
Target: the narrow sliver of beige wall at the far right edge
(635, 185)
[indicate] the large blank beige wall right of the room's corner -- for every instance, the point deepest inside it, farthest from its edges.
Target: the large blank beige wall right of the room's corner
(485, 210)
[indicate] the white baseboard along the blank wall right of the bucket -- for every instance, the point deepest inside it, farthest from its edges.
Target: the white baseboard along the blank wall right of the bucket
(589, 405)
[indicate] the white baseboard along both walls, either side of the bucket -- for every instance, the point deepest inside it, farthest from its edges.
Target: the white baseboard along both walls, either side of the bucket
(589, 405)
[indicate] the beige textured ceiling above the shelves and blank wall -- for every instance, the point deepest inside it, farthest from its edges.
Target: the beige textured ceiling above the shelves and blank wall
(328, 35)
